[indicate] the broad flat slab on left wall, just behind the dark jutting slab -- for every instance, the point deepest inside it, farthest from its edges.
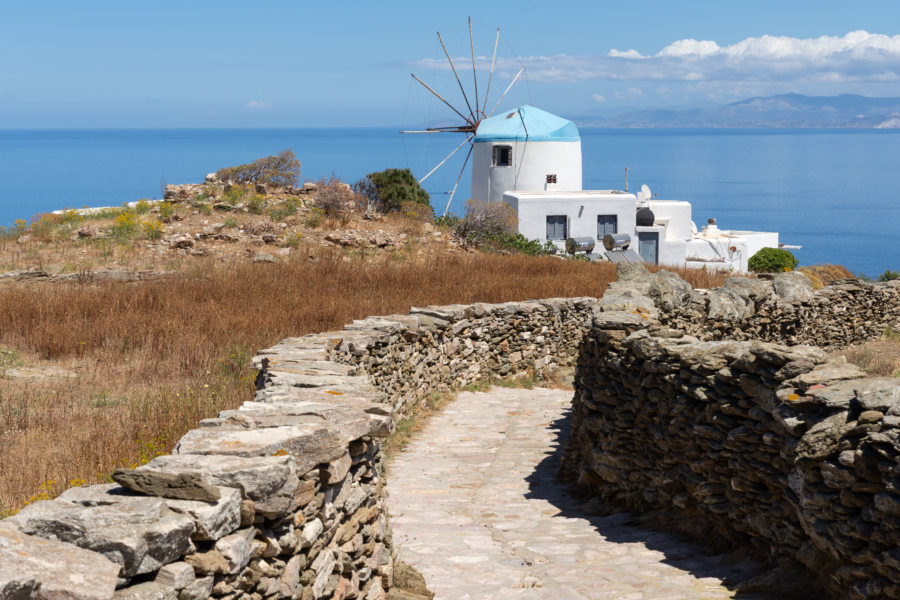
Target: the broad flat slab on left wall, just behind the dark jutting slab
(269, 481)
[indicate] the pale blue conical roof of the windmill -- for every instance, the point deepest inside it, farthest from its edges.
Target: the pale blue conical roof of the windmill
(526, 123)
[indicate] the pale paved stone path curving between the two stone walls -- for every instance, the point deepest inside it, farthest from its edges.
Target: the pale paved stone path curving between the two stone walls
(475, 508)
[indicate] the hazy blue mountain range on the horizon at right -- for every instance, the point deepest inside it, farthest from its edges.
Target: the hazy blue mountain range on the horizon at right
(846, 111)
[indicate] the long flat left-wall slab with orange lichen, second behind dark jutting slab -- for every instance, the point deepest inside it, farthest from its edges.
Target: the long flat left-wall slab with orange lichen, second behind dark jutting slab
(310, 444)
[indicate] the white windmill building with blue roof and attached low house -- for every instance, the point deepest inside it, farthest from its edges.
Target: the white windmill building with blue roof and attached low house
(531, 160)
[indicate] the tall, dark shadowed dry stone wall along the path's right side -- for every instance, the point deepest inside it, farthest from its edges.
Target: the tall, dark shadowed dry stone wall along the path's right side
(744, 442)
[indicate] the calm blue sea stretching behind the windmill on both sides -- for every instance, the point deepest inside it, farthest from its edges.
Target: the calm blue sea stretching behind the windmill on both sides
(835, 193)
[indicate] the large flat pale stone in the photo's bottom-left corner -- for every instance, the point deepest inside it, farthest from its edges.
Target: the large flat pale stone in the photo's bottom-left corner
(33, 567)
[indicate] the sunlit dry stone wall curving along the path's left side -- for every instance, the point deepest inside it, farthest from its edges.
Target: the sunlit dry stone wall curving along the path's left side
(281, 498)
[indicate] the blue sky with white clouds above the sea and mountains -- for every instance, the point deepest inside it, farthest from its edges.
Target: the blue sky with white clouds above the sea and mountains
(283, 64)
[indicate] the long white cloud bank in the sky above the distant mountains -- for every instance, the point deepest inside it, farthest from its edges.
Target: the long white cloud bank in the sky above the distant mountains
(858, 56)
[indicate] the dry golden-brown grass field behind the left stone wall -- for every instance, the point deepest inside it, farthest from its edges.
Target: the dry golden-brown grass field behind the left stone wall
(154, 357)
